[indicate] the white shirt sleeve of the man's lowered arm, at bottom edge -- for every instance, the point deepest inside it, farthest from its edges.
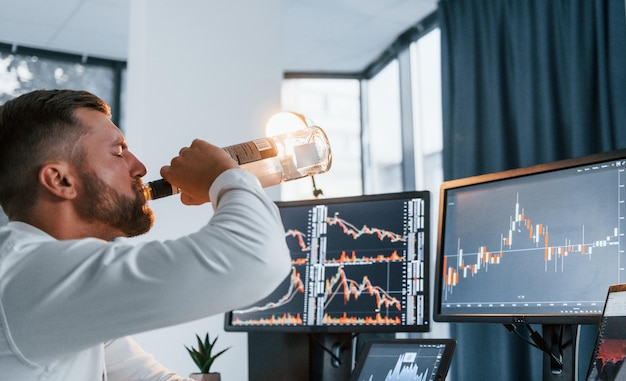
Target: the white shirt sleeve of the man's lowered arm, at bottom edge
(126, 360)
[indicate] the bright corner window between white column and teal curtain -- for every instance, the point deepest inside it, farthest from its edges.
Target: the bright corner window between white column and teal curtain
(387, 137)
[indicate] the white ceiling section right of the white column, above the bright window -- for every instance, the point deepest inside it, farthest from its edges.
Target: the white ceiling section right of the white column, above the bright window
(345, 35)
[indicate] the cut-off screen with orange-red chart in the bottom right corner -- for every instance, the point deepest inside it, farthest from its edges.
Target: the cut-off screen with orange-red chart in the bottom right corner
(609, 352)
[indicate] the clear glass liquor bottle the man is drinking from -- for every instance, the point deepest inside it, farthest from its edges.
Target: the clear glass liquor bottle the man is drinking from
(273, 160)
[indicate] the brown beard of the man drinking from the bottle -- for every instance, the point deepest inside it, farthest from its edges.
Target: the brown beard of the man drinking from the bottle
(102, 203)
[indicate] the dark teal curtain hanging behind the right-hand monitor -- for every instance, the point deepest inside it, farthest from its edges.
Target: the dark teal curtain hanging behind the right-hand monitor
(526, 82)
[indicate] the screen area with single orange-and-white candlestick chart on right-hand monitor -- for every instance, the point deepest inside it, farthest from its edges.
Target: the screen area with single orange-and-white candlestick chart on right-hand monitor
(536, 244)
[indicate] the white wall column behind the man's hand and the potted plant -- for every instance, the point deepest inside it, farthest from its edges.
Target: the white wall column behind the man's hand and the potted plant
(207, 69)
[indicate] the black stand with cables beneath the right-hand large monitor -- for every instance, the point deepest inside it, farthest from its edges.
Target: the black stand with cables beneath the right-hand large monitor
(561, 340)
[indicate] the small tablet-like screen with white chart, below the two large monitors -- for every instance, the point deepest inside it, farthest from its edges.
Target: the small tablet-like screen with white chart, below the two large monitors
(404, 359)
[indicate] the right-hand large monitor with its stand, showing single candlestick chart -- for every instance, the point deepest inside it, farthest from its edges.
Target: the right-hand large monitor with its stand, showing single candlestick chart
(537, 245)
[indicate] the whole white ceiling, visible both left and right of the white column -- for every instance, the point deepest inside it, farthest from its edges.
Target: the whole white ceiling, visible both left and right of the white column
(319, 35)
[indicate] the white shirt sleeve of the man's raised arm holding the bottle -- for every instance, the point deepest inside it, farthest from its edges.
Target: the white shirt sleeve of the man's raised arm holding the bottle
(63, 296)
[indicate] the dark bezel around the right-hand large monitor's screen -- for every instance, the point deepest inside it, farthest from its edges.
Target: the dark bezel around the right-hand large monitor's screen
(490, 317)
